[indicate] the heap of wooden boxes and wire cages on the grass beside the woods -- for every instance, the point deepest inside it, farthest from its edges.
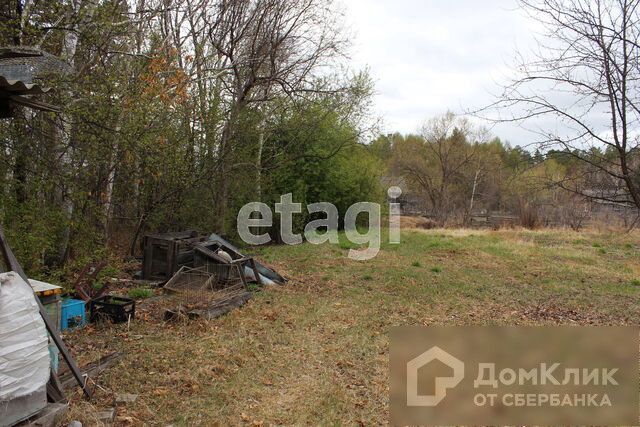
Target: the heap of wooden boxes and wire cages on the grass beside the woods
(208, 275)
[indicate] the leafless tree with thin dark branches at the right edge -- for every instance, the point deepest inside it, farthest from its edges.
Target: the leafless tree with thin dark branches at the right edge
(585, 80)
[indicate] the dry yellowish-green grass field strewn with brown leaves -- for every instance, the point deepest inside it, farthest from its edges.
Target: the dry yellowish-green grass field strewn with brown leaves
(316, 350)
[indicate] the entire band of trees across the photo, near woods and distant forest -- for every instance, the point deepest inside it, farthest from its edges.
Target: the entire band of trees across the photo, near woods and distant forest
(175, 113)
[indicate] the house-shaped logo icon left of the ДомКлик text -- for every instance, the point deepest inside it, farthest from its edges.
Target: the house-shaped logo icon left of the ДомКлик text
(442, 383)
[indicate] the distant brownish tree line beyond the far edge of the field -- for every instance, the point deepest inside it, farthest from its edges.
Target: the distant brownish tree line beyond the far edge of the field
(454, 170)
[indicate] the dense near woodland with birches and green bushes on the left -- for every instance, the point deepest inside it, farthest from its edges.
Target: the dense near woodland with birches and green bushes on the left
(174, 114)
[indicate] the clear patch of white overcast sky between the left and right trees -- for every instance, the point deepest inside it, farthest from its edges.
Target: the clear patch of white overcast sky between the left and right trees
(427, 56)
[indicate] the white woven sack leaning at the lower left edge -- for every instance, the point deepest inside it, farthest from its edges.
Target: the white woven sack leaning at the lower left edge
(24, 353)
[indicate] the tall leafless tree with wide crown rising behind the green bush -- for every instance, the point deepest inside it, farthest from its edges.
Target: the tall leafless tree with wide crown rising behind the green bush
(266, 48)
